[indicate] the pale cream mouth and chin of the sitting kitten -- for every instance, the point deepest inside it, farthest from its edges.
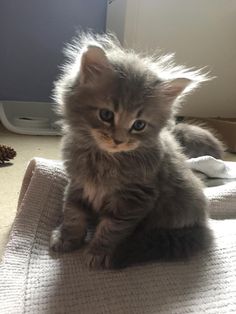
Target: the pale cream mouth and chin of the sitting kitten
(106, 143)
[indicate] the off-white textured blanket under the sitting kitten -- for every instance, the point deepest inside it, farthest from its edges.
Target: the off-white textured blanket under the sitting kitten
(33, 281)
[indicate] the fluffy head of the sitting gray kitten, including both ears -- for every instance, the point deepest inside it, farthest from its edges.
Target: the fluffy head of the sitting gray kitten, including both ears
(115, 99)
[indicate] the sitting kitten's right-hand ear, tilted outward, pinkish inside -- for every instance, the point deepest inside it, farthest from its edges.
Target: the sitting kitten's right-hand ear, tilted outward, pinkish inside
(175, 88)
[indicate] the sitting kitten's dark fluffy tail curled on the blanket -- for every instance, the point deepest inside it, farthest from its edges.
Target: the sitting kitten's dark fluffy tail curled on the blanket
(162, 244)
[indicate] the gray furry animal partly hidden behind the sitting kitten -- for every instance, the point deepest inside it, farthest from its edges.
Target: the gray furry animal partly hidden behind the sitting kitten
(197, 141)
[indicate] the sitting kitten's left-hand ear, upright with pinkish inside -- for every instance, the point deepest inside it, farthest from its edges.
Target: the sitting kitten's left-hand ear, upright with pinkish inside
(94, 63)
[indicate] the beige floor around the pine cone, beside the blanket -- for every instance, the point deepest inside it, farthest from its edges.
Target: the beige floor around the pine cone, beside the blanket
(11, 175)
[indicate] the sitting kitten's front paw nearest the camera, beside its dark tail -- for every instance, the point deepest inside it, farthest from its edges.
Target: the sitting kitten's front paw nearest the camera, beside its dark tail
(97, 261)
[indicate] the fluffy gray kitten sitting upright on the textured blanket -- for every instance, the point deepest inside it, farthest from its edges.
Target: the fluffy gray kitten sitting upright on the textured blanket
(127, 174)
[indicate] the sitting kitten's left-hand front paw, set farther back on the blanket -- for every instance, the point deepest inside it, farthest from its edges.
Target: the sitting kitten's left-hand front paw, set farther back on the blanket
(59, 242)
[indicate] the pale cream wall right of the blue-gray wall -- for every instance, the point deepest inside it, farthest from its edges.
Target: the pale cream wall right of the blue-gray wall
(200, 32)
